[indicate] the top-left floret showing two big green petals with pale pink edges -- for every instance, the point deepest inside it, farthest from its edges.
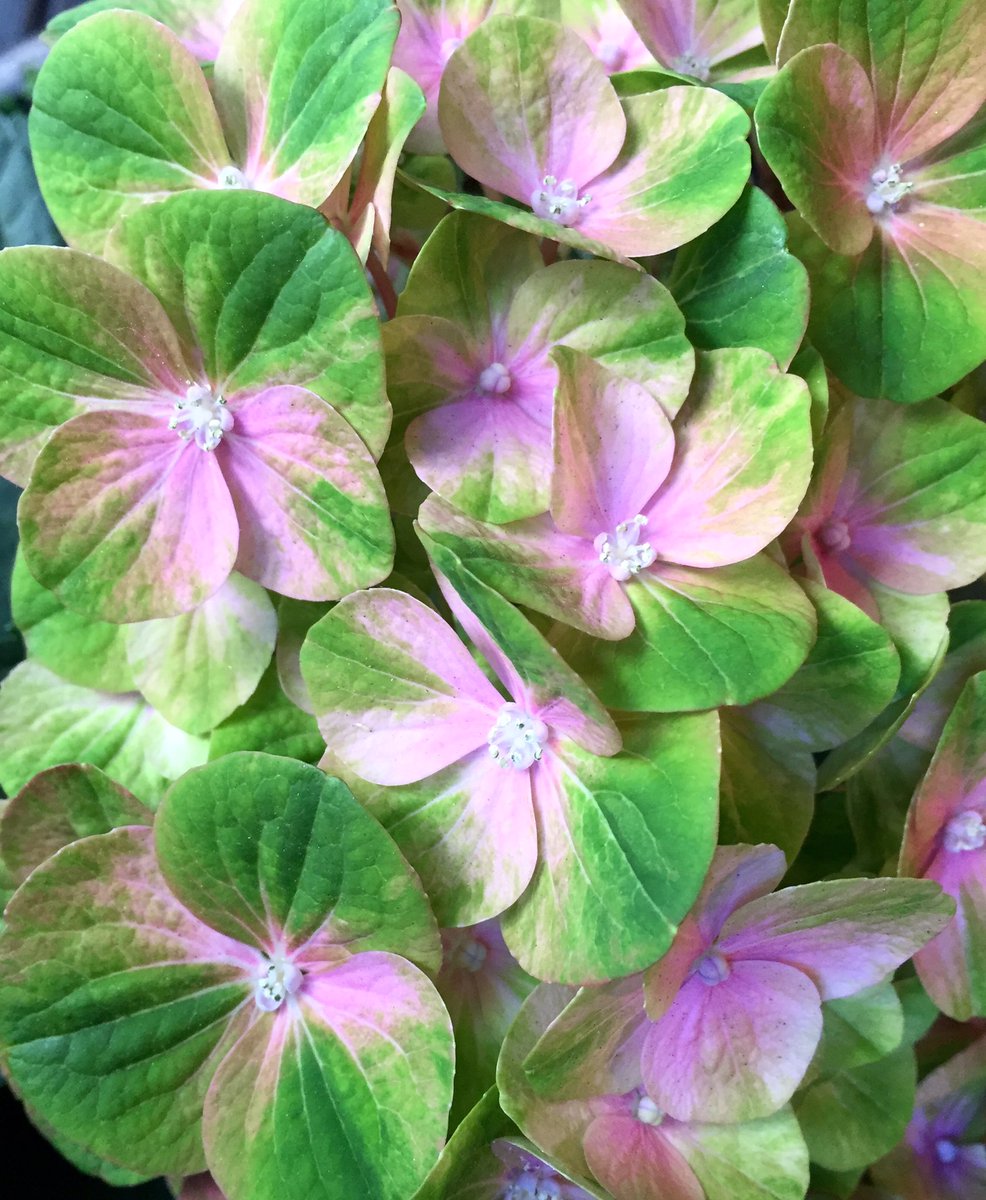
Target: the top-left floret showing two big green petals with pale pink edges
(123, 113)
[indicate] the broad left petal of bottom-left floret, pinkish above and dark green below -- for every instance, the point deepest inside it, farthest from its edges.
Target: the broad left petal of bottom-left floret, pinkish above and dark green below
(111, 1010)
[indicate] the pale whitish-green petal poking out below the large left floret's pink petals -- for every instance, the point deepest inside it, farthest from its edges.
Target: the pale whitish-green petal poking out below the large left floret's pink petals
(199, 668)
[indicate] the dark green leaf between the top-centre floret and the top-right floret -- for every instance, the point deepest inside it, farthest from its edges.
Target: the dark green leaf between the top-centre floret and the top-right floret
(739, 286)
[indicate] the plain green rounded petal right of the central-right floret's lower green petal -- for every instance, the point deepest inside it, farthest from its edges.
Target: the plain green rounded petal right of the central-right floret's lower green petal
(849, 679)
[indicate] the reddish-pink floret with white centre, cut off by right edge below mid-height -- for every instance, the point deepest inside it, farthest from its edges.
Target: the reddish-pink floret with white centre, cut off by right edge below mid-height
(946, 842)
